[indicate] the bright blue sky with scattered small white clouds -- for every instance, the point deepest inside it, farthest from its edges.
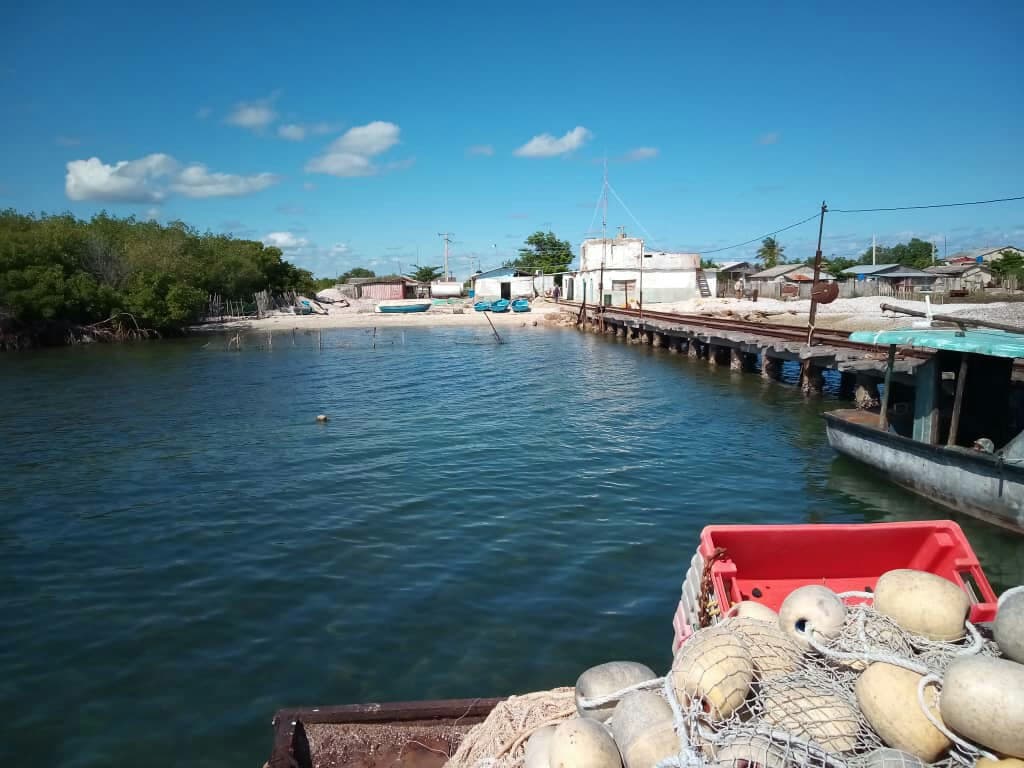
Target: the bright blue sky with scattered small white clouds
(353, 134)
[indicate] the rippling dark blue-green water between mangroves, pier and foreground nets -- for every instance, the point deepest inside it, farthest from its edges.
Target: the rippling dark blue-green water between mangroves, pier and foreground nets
(184, 549)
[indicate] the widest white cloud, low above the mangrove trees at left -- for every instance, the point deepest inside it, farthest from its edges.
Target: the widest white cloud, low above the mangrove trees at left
(154, 179)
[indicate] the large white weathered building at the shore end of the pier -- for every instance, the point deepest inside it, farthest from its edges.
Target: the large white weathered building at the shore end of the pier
(631, 271)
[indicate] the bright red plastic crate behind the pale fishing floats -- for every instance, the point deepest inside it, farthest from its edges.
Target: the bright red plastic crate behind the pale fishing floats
(764, 564)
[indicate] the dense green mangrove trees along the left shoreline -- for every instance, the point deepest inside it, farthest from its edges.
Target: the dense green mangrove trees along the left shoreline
(61, 270)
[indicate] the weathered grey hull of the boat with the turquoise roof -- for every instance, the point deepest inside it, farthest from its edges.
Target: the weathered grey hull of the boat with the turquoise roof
(969, 482)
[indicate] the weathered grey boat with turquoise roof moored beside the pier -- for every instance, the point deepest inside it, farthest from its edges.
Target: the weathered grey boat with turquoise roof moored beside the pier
(961, 443)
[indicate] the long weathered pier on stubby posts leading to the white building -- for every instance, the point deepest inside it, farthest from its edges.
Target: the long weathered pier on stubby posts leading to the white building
(761, 349)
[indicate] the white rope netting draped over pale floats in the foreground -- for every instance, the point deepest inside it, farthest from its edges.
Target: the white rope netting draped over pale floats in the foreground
(746, 696)
